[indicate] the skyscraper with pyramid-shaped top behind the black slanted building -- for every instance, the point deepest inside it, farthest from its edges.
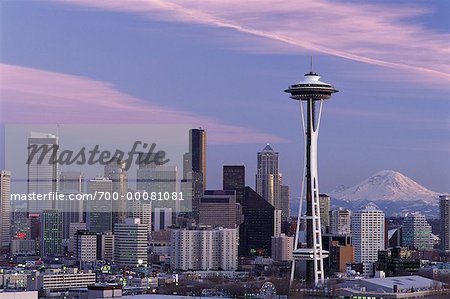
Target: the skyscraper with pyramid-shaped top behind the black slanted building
(268, 176)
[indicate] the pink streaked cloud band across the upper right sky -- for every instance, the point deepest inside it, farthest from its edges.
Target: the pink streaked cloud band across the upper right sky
(382, 35)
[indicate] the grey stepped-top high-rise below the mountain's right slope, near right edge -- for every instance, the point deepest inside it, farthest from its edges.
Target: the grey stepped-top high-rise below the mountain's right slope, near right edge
(416, 232)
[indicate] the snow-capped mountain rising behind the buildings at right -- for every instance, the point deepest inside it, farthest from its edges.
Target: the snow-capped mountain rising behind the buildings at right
(392, 191)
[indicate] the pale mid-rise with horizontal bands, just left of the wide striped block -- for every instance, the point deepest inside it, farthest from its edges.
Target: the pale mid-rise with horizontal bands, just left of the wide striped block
(130, 243)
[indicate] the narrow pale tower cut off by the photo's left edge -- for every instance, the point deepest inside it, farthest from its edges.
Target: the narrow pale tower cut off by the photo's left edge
(5, 209)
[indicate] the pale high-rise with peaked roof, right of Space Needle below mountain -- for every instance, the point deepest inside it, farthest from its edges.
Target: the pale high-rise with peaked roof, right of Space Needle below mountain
(367, 226)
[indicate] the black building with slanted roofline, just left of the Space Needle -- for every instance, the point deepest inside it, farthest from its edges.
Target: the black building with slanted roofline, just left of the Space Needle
(255, 233)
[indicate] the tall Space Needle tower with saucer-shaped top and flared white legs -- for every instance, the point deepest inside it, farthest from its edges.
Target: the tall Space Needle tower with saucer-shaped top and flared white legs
(311, 93)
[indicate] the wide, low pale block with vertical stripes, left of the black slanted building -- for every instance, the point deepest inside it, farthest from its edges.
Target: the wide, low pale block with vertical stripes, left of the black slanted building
(204, 249)
